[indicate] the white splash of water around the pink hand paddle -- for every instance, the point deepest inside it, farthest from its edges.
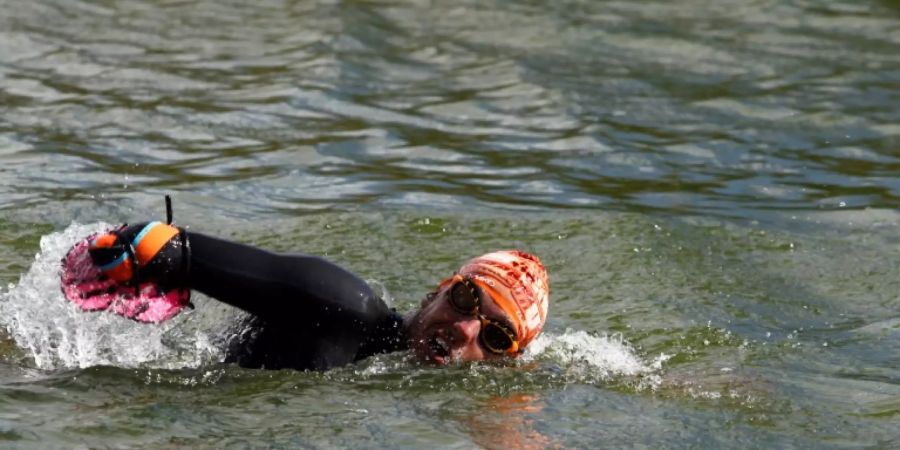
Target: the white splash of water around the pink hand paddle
(56, 334)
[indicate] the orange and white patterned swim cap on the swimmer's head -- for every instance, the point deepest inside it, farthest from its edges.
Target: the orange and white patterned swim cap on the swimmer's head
(518, 283)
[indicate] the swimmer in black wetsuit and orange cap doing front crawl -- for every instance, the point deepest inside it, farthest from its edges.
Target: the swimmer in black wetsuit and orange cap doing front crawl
(309, 313)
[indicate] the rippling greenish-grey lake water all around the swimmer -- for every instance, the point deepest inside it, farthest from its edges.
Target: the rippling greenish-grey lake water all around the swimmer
(713, 186)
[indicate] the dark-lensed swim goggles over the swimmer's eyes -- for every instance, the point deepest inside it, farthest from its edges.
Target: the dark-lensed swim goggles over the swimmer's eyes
(497, 337)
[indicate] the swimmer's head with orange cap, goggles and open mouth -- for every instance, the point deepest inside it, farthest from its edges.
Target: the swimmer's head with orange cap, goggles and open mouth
(492, 307)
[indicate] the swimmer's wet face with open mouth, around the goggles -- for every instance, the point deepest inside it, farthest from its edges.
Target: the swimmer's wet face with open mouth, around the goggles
(440, 334)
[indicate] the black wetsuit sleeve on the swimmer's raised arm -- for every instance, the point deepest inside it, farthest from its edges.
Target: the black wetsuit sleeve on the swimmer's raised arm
(282, 288)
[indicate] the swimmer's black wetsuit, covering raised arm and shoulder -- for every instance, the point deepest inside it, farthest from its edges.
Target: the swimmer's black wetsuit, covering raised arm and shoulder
(307, 313)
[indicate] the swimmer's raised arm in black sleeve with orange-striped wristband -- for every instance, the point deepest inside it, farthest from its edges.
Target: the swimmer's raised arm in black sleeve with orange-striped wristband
(278, 288)
